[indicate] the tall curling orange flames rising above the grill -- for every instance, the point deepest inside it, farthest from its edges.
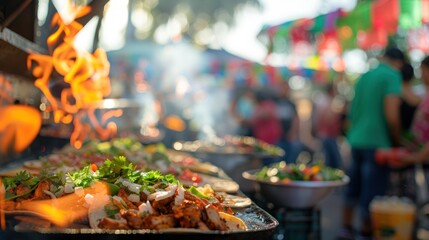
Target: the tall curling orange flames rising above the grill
(85, 76)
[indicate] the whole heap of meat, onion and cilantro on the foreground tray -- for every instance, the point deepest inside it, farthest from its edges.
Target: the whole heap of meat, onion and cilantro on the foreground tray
(133, 199)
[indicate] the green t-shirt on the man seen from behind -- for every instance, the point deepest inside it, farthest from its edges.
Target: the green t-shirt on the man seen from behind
(368, 122)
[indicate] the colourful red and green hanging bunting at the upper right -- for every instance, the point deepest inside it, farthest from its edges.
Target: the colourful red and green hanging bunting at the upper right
(370, 25)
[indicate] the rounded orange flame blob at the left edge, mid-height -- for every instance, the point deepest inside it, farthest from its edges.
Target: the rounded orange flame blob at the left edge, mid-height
(19, 125)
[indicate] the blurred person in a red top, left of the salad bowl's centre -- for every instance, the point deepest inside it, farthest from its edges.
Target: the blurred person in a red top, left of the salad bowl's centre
(266, 124)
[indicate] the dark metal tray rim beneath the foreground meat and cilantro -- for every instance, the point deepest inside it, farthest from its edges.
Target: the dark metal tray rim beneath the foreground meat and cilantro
(261, 225)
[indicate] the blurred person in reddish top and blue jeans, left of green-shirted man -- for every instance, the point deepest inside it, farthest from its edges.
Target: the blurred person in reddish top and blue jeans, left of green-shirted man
(327, 126)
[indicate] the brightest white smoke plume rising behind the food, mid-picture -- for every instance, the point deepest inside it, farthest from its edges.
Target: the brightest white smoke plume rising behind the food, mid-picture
(198, 98)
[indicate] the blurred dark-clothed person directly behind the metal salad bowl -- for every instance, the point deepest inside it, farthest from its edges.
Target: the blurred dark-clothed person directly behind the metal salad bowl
(287, 113)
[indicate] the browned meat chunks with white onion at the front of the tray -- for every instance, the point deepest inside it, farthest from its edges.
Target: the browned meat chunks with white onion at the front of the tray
(171, 207)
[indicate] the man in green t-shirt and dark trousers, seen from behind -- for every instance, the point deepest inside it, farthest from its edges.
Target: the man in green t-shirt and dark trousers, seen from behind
(374, 123)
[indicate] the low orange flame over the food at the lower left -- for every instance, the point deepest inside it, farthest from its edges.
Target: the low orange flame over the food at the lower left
(65, 210)
